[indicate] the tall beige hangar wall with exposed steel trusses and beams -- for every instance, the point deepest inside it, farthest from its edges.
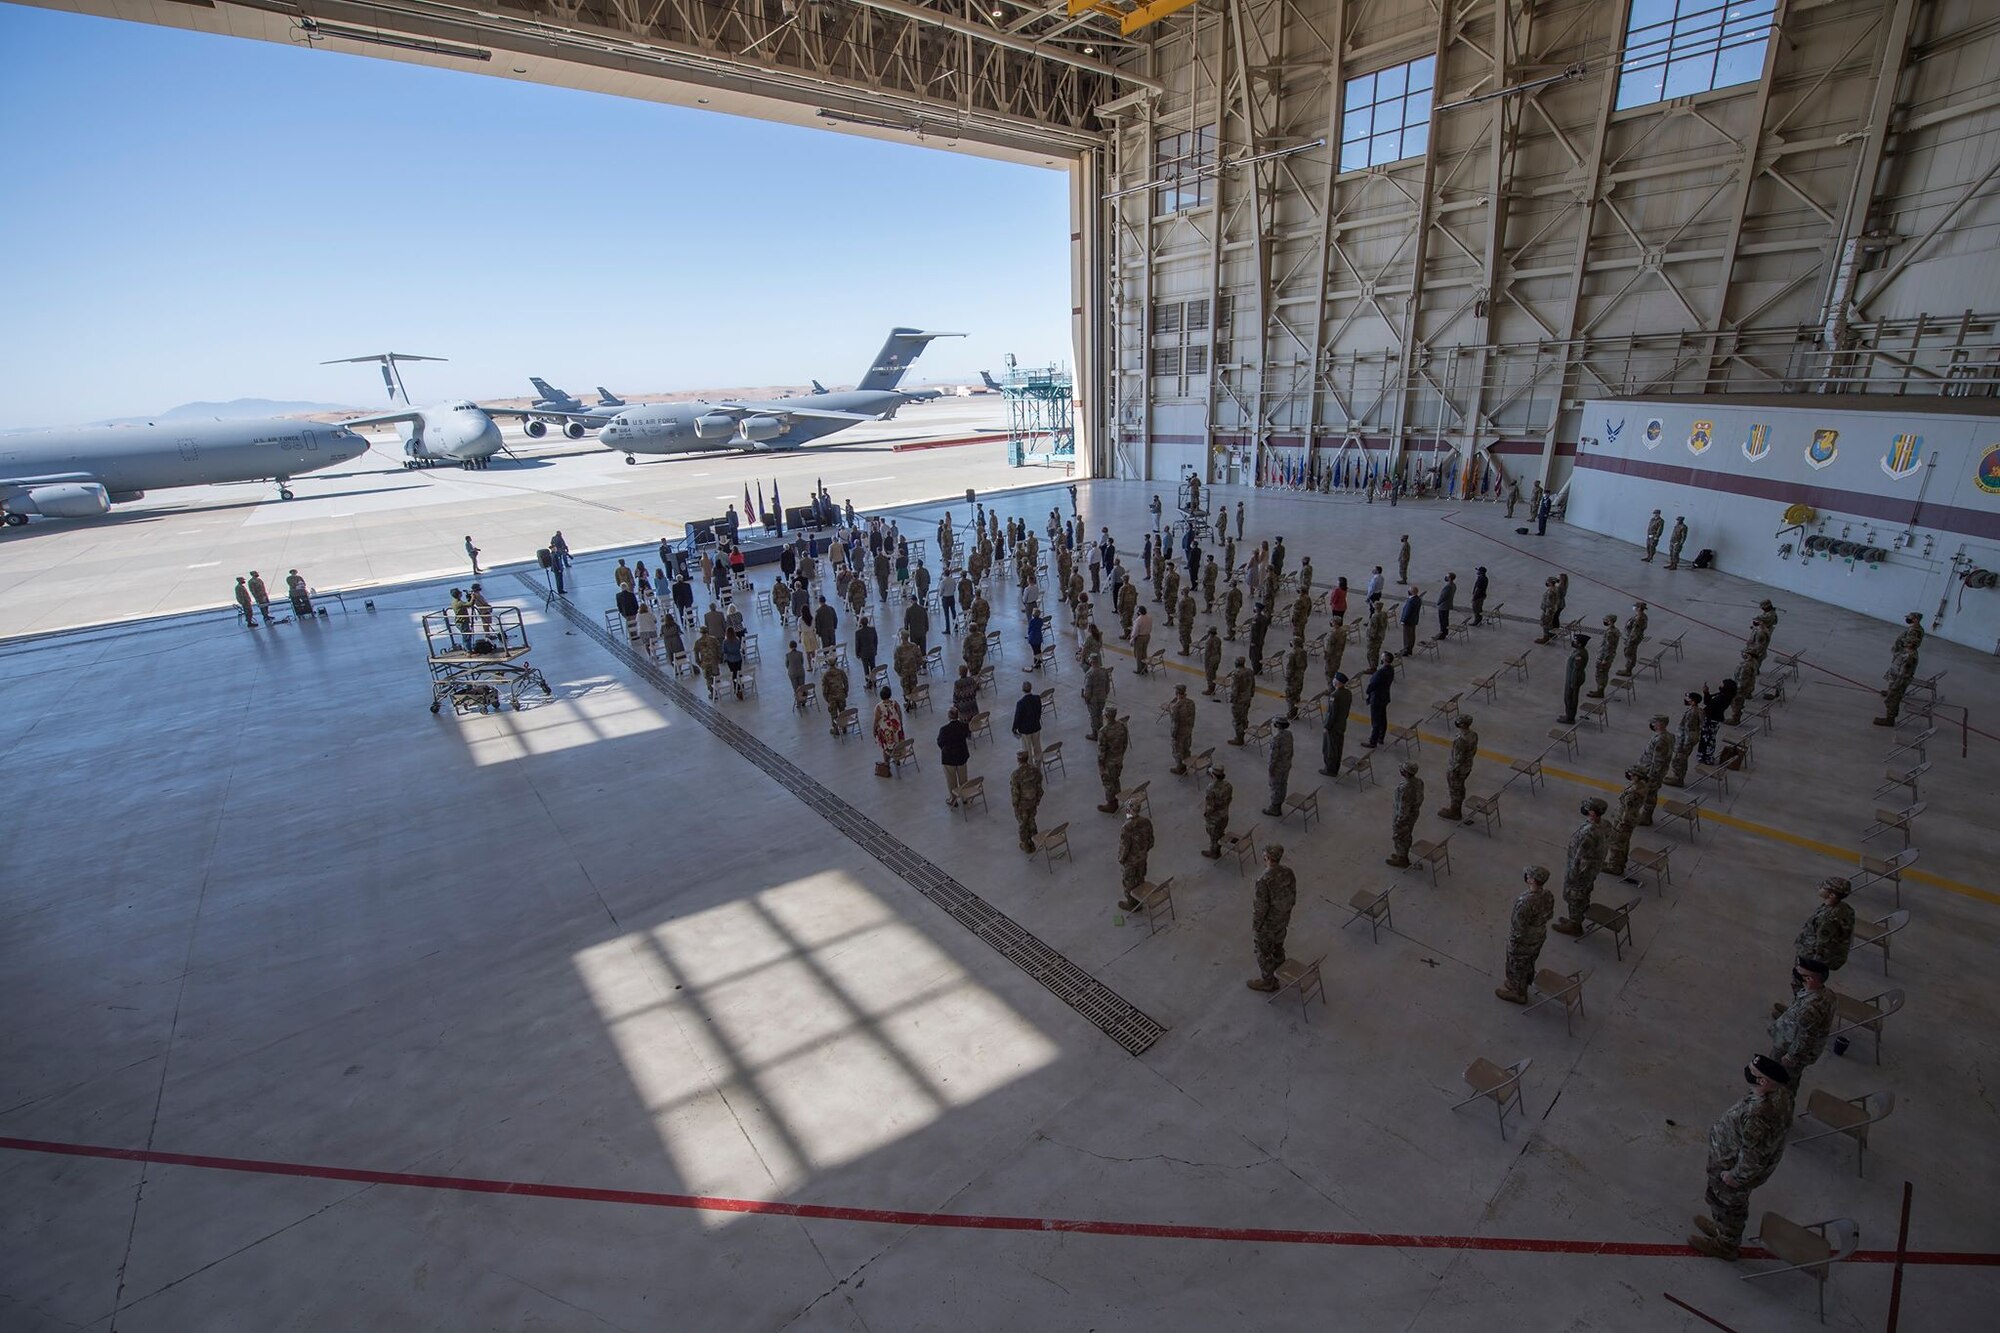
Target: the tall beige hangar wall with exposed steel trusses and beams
(1825, 221)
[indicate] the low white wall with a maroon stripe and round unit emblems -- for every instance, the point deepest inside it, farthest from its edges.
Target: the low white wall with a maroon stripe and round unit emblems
(1915, 479)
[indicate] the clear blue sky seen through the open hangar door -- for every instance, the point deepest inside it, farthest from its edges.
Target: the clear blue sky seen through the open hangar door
(195, 217)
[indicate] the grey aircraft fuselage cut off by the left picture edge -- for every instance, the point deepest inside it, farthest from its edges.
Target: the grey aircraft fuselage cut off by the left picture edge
(83, 471)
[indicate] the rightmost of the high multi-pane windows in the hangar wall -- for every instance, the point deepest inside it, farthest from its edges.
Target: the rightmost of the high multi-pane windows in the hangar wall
(1677, 49)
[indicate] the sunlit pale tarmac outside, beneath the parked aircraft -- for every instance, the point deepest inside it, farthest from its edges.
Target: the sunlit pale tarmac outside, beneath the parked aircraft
(373, 521)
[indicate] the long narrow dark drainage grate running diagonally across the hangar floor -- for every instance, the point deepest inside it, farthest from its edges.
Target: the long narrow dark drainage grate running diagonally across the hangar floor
(1123, 1022)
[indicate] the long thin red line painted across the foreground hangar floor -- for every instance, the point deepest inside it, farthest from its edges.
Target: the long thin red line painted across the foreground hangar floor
(963, 1222)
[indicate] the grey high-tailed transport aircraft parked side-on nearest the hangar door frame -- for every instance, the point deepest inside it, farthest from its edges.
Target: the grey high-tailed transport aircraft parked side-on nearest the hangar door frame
(785, 423)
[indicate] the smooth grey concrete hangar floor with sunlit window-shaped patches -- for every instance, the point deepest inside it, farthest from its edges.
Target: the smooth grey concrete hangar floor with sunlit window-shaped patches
(295, 972)
